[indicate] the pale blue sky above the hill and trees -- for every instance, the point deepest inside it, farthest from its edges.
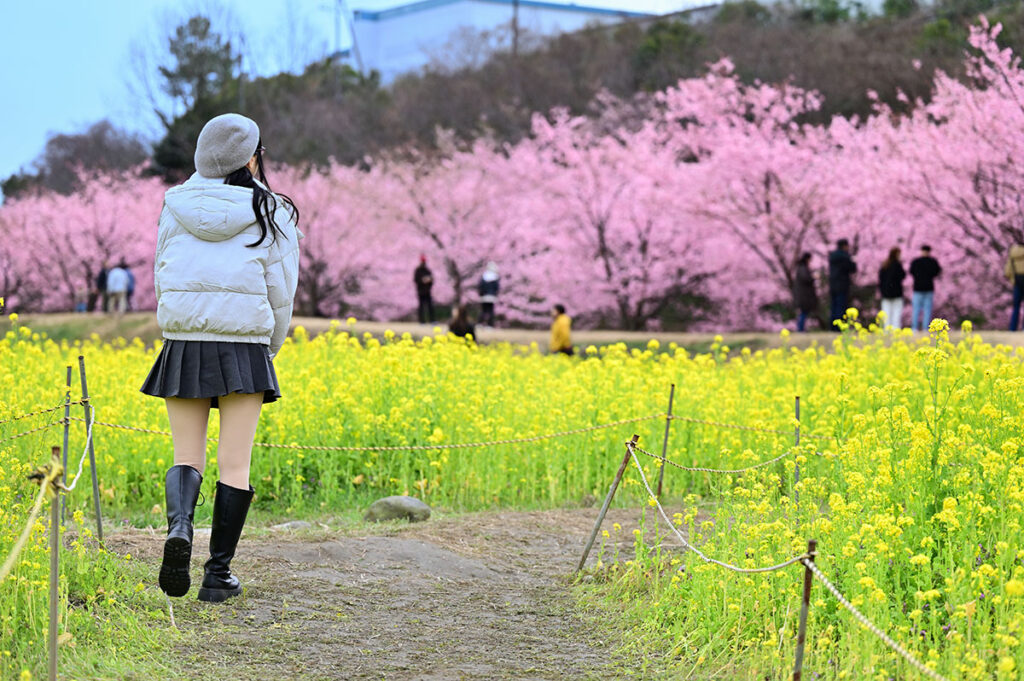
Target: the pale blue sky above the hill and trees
(70, 63)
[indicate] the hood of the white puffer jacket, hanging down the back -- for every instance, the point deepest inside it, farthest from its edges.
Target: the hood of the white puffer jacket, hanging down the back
(209, 209)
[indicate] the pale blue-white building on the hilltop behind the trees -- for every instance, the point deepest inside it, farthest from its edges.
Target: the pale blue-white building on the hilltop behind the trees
(406, 38)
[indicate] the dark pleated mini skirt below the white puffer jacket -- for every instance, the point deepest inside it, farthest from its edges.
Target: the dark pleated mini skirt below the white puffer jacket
(210, 370)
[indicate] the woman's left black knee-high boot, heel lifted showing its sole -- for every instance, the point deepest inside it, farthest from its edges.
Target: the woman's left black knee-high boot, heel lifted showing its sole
(182, 491)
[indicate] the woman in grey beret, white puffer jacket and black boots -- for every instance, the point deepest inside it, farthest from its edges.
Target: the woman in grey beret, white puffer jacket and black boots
(227, 271)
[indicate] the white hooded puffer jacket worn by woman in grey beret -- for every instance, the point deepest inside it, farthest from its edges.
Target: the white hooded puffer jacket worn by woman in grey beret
(210, 285)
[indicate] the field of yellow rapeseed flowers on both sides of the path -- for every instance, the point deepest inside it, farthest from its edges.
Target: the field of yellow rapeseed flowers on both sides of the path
(911, 480)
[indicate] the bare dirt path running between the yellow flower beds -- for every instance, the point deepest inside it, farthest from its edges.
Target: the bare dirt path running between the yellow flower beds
(483, 597)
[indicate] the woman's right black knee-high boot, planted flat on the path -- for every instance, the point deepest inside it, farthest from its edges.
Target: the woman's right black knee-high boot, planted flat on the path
(230, 509)
